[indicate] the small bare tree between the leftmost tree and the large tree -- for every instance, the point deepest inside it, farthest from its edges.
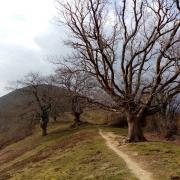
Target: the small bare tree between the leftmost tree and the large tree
(79, 86)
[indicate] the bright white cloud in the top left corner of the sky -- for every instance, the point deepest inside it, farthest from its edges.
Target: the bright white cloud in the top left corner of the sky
(22, 20)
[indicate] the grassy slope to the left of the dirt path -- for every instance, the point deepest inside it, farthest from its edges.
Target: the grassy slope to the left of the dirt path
(64, 154)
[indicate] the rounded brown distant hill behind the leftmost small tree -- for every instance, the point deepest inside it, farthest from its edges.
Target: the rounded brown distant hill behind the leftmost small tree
(18, 113)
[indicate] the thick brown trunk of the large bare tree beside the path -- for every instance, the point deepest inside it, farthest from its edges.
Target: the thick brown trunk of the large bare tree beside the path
(135, 130)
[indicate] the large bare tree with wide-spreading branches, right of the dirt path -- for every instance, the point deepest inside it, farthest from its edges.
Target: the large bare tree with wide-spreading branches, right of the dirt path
(129, 47)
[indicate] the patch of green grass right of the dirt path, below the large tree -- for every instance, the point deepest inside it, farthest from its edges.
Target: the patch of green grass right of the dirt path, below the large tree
(161, 158)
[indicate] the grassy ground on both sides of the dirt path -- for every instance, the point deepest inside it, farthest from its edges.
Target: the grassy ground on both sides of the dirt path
(82, 154)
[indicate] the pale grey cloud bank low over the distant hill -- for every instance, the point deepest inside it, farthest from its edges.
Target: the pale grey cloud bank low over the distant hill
(16, 61)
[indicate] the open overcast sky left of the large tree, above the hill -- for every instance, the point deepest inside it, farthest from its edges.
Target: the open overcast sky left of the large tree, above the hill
(28, 35)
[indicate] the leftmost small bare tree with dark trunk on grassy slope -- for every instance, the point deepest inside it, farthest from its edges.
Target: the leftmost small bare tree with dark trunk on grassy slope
(44, 96)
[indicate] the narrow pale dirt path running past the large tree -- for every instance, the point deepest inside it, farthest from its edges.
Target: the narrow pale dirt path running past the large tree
(112, 142)
